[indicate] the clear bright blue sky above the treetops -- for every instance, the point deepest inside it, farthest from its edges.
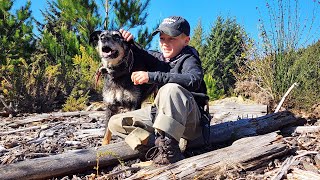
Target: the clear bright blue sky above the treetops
(244, 11)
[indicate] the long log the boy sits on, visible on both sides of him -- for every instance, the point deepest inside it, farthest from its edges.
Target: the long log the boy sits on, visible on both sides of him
(78, 161)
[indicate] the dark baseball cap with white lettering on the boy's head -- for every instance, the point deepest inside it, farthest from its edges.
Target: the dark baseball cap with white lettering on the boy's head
(173, 26)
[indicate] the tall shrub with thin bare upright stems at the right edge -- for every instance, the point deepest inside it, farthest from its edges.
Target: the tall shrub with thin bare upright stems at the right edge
(280, 61)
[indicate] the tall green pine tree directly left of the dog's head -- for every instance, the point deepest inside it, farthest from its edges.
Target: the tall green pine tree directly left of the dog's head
(67, 25)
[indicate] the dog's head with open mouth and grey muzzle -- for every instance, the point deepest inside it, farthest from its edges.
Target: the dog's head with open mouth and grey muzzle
(111, 46)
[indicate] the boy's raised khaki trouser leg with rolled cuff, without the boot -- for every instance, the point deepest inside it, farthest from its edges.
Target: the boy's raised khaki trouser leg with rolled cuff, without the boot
(178, 112)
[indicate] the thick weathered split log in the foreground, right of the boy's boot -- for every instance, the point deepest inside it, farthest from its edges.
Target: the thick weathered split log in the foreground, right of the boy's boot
(244, 154)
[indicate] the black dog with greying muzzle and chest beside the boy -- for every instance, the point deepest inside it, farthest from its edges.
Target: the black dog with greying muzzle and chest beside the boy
(118, 60)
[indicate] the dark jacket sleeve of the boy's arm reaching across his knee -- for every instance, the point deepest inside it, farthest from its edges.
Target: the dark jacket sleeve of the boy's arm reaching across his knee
(187, 72)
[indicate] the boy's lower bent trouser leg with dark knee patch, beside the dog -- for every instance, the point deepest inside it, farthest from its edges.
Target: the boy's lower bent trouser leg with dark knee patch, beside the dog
(135, 127)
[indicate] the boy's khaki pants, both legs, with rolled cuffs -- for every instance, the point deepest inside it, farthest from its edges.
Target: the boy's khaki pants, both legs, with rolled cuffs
(178, 115)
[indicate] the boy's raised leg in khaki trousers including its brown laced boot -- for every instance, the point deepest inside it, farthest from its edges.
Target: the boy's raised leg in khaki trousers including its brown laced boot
(178, 117)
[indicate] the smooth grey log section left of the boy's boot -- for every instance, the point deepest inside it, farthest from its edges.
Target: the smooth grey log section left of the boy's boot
(67, 163)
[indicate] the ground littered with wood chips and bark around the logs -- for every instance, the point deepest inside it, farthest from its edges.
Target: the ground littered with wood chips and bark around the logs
(29, 136)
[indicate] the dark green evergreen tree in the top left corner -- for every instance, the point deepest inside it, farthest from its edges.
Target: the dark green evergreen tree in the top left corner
(16, 37)
